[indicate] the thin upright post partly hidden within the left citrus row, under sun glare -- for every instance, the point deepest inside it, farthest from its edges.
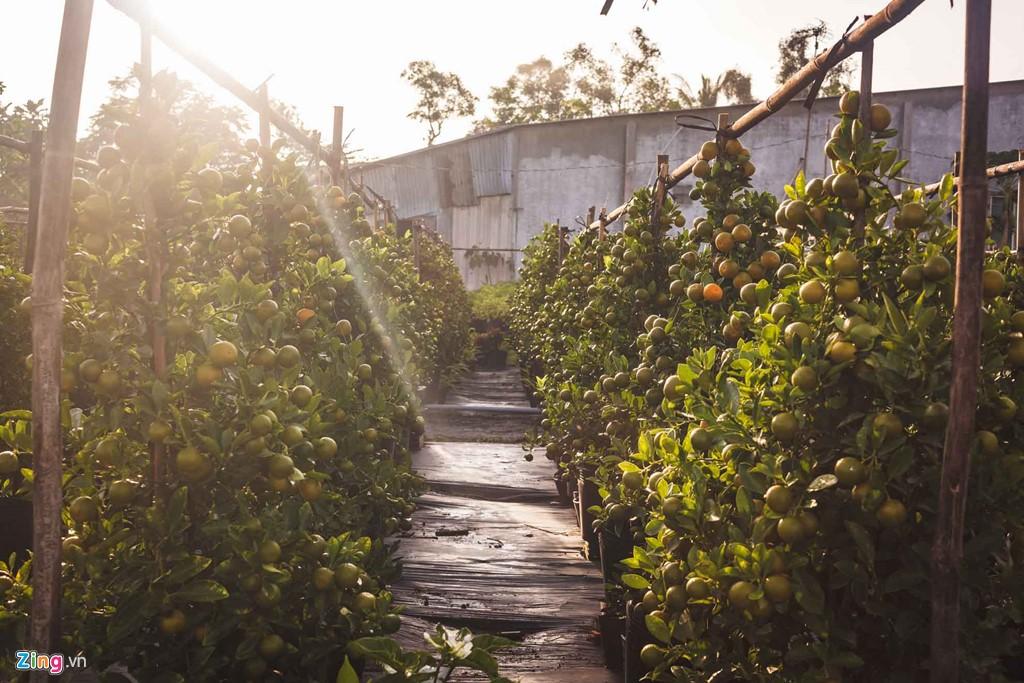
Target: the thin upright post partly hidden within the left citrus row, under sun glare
(155, 250)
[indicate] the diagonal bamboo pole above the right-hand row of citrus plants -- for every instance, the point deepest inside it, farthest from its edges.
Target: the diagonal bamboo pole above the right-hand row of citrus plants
(889, 17)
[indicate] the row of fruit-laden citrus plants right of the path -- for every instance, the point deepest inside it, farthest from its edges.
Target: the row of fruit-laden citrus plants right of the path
(751, 411)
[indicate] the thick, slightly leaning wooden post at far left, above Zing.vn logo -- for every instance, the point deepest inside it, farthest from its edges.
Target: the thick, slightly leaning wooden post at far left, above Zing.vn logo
(48, 323)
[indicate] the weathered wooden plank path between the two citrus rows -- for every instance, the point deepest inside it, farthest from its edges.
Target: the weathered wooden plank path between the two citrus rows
(492, 547)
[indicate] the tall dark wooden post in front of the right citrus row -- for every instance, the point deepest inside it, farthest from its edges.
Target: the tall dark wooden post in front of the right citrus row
(948, 551)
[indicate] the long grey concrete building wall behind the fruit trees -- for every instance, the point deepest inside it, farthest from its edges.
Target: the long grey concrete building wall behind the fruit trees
(489, 194)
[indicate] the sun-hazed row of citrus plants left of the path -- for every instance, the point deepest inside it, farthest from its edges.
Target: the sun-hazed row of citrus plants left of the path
(228, 510)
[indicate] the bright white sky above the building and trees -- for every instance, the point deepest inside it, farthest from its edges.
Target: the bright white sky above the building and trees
(327, 53)
